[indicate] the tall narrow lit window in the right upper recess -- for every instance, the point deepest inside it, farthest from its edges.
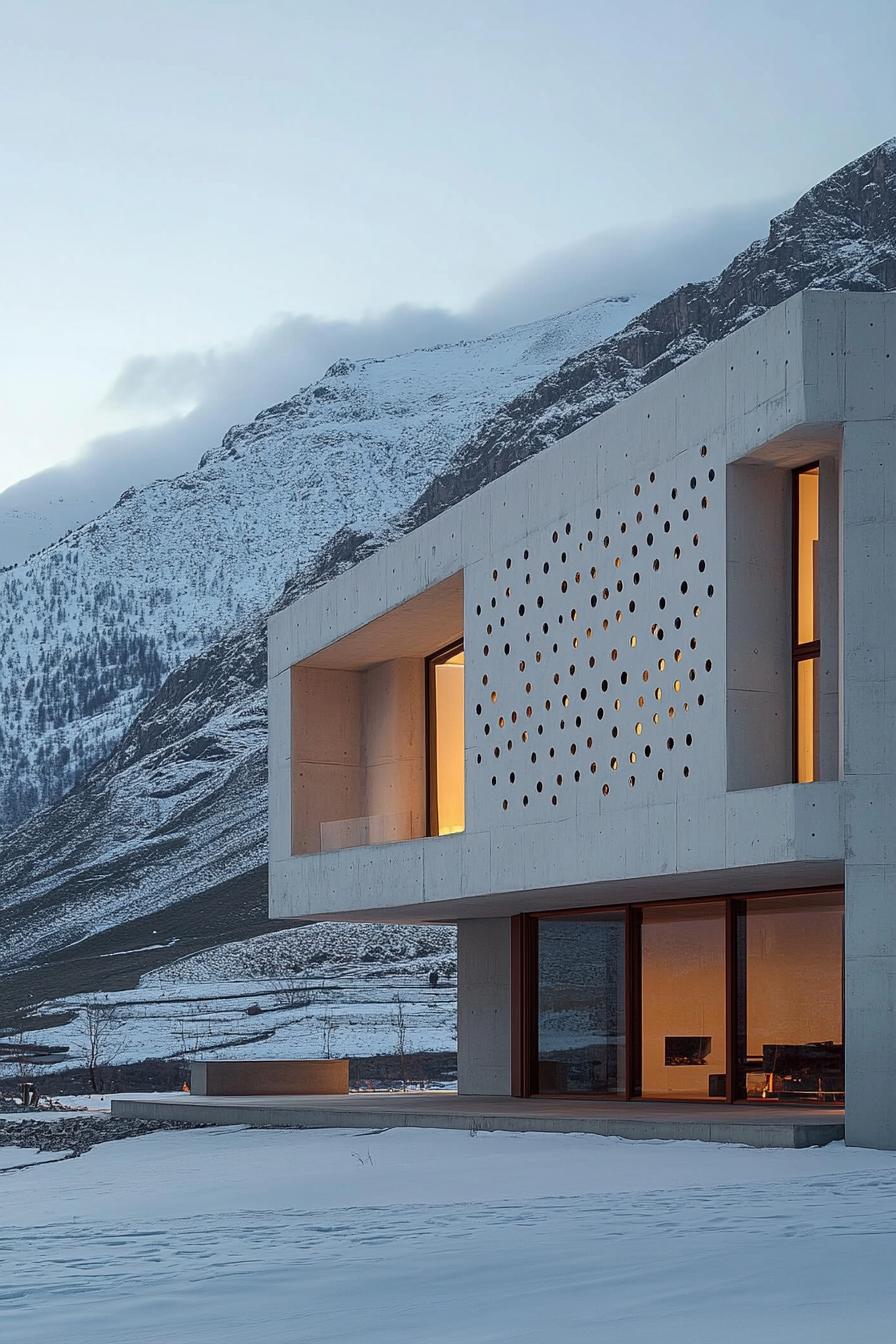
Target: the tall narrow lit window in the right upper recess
(807, 647)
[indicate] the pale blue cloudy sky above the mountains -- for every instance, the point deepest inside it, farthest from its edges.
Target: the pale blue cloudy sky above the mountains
(206, 202)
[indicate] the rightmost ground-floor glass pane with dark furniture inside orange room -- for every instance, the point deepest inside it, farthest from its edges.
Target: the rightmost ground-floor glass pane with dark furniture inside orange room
(791, 1038)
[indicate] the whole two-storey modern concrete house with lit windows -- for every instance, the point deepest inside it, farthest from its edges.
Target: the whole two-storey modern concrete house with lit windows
(628, 717)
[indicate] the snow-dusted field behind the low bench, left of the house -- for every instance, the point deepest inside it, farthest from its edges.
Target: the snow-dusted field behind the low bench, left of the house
(327, 990)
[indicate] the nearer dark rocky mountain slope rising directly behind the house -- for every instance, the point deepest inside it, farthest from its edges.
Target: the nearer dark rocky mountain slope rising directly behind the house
(166, 838)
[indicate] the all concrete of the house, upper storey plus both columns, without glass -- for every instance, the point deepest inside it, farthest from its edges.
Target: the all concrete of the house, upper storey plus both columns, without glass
(627, 616)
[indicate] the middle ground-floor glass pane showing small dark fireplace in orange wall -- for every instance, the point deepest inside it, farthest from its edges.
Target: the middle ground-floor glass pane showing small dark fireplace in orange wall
(683, 1001)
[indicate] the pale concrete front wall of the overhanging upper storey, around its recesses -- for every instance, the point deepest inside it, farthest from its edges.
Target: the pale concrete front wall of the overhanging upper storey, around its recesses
(598, 643)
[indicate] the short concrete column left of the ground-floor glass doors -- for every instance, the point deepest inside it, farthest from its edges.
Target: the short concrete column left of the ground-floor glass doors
(484, 1007)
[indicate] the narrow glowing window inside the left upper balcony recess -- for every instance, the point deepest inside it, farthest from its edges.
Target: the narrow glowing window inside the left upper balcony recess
(445, 689)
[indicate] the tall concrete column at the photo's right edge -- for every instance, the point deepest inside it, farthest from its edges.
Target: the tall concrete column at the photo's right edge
(870, 779)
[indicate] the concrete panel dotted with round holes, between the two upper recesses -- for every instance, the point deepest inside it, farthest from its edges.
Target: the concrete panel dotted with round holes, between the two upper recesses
(594, 650)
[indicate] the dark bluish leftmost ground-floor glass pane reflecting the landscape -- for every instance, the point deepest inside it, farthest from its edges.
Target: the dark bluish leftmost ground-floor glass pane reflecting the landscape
(581, 1005)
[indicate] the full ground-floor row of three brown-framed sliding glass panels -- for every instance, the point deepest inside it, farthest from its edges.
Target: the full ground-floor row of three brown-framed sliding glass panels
(737, 999)
